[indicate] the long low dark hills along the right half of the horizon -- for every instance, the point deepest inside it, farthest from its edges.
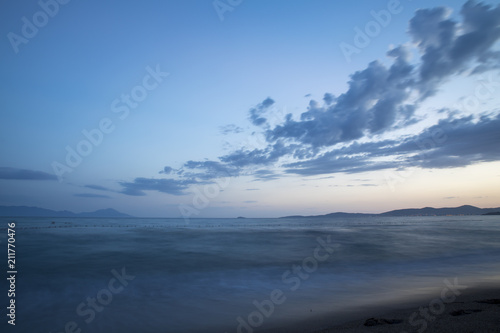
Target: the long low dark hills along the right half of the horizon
(427, 211)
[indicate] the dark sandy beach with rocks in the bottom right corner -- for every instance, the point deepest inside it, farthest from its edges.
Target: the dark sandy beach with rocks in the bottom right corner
(476, 309)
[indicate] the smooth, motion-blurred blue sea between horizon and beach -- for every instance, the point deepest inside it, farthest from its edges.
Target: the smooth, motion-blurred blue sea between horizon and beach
(234, 275)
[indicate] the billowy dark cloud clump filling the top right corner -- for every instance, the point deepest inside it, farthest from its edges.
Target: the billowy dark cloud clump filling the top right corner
(450, 47)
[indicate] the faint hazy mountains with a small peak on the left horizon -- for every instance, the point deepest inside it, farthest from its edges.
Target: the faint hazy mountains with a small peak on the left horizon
(19, 211)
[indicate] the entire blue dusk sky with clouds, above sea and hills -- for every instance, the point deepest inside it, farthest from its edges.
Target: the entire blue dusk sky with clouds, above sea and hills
(255, 108)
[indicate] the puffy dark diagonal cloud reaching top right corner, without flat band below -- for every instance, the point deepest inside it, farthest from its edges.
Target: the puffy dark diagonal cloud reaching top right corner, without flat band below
(377, 99)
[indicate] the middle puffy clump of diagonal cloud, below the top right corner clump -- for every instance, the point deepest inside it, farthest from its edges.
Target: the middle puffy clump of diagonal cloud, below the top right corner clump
(374, 103)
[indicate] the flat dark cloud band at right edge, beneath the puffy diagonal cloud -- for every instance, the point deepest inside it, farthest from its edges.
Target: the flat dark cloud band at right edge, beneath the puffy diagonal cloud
(450, 143)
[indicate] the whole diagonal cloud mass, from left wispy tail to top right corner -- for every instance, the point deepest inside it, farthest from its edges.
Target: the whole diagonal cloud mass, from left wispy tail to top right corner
(341, 134)
